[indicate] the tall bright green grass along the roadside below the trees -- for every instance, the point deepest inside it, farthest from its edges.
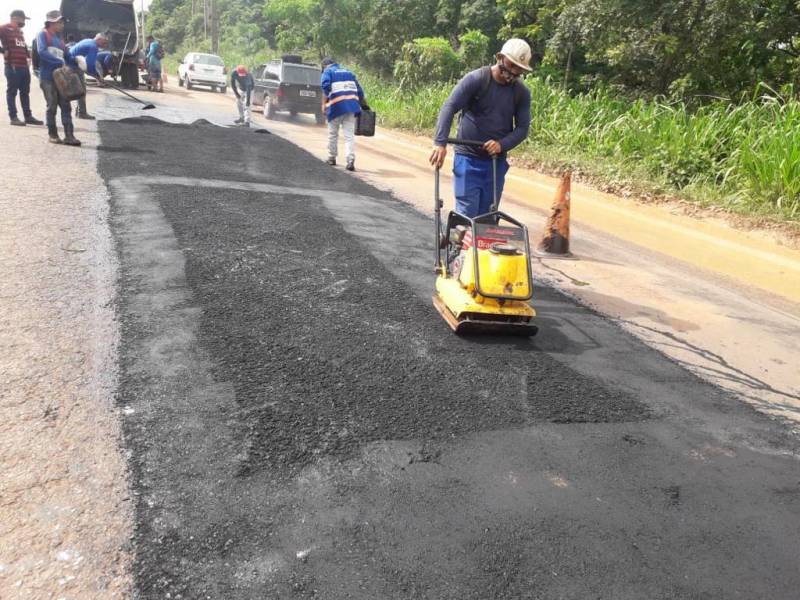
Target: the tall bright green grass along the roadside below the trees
(744, 157)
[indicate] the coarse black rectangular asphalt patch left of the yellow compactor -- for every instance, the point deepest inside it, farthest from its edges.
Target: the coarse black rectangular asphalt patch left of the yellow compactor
(327, 351)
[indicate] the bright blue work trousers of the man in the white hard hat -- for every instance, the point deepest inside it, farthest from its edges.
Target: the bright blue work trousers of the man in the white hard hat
(472, 184)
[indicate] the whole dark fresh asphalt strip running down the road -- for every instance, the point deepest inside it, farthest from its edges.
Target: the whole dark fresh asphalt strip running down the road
(301, 423)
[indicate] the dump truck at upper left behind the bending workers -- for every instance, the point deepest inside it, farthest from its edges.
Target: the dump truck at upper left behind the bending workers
(116, 19)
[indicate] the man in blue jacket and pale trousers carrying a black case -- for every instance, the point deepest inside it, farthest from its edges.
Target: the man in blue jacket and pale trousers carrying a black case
(342, 97)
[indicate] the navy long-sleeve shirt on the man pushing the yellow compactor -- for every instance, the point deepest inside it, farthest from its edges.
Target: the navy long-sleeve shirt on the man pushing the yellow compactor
(493, 116)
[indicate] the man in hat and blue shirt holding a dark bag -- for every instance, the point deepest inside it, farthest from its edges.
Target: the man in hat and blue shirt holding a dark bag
(52, 51)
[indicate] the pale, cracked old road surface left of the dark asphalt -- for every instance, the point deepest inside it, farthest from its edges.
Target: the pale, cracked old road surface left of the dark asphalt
(65, 510)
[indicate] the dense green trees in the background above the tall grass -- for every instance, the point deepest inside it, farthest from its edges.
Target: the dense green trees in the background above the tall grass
(677, 48)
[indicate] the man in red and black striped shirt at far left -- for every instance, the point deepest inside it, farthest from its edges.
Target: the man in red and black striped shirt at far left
(17, 72)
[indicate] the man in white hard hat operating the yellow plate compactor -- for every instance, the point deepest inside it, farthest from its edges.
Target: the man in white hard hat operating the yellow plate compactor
(496, 110)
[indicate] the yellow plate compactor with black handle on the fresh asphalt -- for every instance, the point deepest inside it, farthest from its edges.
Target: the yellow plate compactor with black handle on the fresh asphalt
(484, 281)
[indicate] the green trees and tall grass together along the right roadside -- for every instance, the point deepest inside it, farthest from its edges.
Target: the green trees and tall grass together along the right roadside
(695, 98)
